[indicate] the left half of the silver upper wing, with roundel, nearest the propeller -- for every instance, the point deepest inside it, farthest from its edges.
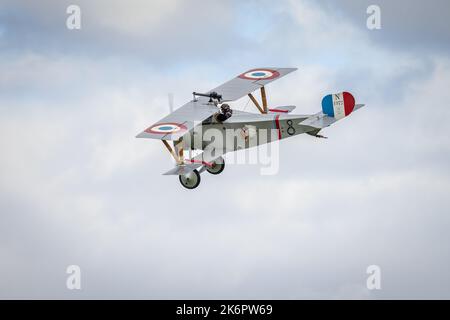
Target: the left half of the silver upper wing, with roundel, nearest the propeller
(176, 124)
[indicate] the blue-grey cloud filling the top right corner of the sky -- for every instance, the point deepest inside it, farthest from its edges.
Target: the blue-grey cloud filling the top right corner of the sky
(423, 27)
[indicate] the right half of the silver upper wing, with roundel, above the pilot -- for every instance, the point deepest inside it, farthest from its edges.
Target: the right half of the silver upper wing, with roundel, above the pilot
(250, 81)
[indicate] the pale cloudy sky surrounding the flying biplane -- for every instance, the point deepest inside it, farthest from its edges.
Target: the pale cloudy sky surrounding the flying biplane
(77, 187)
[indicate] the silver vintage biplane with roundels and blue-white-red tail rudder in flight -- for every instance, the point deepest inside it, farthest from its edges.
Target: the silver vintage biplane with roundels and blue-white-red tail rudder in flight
(186, 127)
